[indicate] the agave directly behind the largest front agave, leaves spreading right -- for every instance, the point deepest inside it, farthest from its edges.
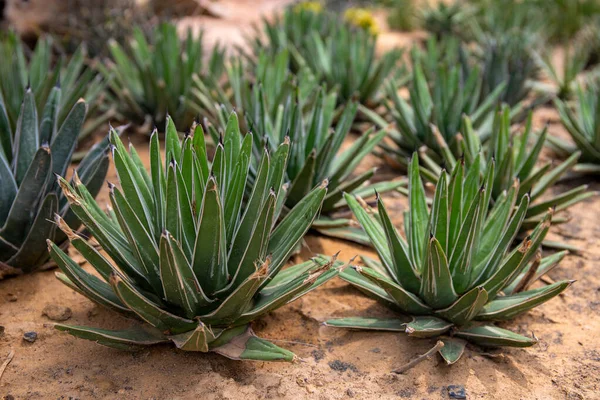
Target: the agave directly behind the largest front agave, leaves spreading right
(278, 107)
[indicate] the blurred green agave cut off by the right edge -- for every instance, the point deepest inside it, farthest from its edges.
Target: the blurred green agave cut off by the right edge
(582, 121)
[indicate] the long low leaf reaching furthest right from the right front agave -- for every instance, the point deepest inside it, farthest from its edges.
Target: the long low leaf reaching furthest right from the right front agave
(508, 307)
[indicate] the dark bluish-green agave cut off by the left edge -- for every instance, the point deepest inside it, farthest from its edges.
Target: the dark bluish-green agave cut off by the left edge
(29, 156)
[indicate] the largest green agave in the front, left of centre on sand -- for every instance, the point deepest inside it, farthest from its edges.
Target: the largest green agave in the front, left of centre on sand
(190, 256)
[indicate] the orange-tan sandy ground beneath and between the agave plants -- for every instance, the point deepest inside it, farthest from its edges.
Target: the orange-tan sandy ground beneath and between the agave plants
(336, 364)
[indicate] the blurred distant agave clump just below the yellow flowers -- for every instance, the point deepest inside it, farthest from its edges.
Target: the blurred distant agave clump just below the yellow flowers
(338, 54)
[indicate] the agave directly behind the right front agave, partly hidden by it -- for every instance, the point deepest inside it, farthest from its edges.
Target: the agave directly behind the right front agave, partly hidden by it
(517, 157)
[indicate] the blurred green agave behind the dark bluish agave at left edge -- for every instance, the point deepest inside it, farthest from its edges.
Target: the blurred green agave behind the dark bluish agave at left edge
(39, 73)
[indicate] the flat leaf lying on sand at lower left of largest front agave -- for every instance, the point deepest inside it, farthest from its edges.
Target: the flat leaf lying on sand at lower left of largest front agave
(129, 339)
